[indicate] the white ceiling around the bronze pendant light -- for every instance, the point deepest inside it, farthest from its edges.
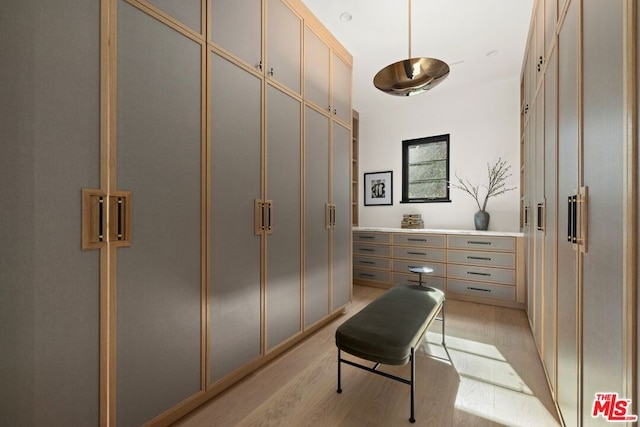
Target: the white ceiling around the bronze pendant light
(459, 32)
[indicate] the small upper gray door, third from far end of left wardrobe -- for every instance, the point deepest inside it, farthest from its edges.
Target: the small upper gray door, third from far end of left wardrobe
(284, 47)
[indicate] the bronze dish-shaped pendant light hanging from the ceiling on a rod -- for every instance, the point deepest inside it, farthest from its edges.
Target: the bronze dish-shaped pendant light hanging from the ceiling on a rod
(411, 76)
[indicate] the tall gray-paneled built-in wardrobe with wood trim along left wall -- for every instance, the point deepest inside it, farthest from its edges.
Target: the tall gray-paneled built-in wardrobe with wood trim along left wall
(176, 201)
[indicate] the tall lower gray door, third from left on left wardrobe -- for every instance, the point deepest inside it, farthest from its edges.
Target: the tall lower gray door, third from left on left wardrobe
(235, 301)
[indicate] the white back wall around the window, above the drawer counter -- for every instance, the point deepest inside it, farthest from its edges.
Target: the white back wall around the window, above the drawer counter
(483, 122)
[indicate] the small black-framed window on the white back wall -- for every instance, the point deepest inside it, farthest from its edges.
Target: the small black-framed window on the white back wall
(425, 170)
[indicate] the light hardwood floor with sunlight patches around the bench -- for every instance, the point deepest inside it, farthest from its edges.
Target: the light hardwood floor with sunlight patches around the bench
(497, 379)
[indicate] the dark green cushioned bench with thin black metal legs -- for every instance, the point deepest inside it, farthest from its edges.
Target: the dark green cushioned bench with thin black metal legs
(389, 329)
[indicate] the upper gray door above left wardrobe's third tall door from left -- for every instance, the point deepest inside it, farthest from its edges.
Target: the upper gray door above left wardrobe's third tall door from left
(236, 26)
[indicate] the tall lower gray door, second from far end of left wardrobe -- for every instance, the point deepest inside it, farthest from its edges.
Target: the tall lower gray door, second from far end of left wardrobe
(316, 279)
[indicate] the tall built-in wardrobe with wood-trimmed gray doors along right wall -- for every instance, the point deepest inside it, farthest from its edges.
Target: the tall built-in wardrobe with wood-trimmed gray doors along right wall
(579, 200)
